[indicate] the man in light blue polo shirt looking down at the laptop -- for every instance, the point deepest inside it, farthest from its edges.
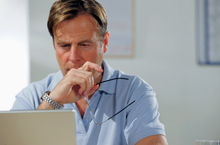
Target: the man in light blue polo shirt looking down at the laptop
(120, 111)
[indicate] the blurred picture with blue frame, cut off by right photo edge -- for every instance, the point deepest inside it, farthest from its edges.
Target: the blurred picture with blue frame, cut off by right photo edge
(208, 31)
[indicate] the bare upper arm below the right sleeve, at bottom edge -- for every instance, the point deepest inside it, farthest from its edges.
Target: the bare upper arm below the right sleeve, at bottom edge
(153, 140)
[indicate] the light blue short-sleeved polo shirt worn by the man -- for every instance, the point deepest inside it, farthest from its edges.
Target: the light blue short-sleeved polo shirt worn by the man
(139, 120)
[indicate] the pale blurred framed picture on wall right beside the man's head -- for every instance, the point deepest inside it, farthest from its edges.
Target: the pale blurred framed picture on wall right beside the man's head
(120, 15)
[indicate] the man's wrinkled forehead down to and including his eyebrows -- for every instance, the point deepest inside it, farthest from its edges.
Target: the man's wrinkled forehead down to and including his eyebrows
(78, 30)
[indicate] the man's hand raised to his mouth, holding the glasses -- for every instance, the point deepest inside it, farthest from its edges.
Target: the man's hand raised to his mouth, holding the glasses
(77, 83)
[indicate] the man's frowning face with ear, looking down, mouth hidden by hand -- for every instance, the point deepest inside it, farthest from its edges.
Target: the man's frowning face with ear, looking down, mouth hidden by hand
(76, 41)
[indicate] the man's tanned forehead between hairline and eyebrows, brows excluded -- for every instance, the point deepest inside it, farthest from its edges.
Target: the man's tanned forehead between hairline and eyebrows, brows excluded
(83, 25)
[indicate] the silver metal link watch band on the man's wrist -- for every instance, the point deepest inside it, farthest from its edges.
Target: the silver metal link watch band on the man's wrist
(51, 101)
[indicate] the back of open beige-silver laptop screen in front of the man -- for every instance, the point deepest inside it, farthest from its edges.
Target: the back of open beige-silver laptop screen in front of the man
(44, 127)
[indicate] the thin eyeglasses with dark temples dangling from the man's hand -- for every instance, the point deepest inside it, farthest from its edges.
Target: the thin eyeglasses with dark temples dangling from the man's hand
(91, 111)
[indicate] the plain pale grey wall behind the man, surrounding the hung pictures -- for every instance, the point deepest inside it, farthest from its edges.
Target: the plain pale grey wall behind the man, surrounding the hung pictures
(188, 93)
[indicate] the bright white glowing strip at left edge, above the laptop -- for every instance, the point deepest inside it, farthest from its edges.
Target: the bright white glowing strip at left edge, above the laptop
(14, 56)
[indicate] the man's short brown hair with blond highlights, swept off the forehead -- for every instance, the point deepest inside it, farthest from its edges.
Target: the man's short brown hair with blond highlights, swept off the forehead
(63, 10)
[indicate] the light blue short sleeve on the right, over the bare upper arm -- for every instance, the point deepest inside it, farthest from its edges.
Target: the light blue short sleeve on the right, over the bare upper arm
(143, 117)
